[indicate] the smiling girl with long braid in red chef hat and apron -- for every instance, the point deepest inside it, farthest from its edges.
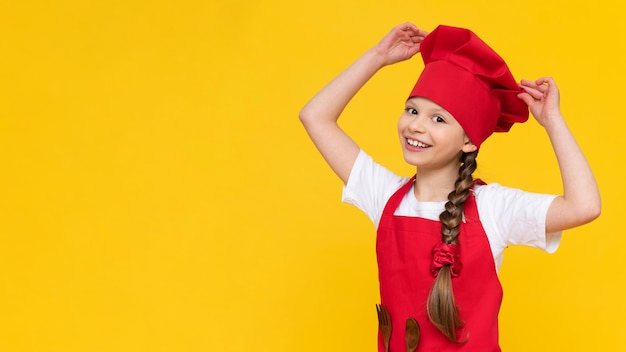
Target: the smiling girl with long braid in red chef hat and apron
(441, 233)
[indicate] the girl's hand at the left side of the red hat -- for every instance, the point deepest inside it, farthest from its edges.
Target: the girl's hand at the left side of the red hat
(400, 44)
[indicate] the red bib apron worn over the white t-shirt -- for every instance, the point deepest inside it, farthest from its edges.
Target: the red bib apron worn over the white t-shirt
(403, 249)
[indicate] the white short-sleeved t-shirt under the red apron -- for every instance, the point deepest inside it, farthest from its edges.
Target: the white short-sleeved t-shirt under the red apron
(509, 216)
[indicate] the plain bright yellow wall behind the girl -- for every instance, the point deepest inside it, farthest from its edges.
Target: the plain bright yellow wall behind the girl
(158, 193)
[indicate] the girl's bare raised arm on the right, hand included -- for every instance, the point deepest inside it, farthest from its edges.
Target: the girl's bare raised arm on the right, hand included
(580, 202)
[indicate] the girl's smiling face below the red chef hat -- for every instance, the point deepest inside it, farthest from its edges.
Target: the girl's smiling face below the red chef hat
(430, 137)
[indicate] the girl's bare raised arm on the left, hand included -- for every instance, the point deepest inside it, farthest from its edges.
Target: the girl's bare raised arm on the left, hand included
(319, 116)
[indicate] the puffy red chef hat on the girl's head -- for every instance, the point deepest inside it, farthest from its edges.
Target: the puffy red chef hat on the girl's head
(466, 77)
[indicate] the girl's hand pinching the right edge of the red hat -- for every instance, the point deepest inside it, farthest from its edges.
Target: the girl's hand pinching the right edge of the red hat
(542, 98)
